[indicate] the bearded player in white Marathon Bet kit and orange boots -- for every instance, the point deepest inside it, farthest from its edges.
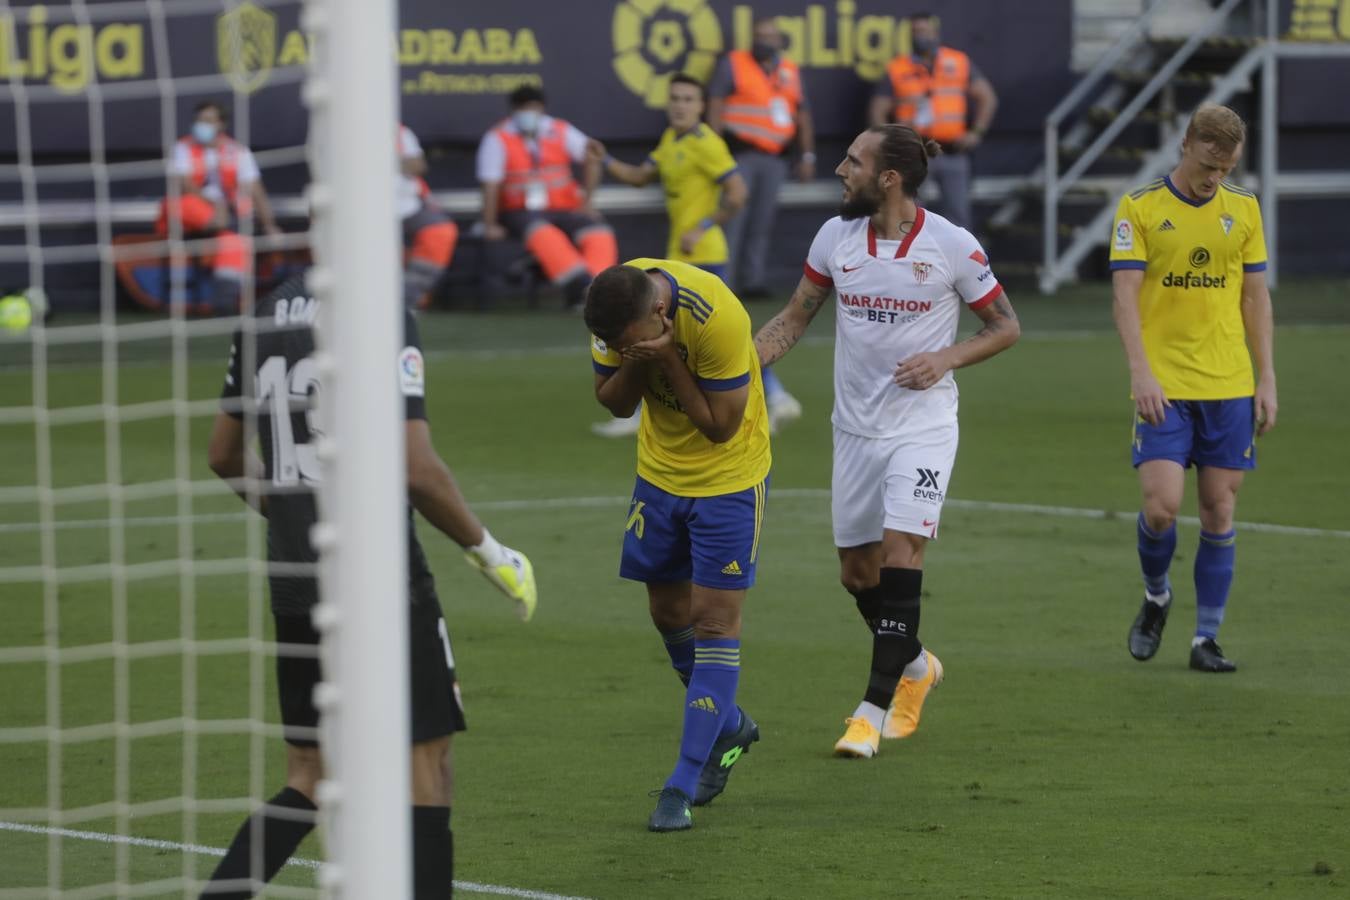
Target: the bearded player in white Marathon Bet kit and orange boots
(901, 276)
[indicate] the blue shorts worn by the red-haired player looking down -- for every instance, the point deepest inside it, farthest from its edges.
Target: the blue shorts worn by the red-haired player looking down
(1201, 432)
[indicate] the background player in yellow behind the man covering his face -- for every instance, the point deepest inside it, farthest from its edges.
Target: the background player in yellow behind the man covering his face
(704, 191)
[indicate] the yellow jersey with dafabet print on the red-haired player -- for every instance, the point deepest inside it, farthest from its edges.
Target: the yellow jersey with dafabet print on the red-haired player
(1194, 256)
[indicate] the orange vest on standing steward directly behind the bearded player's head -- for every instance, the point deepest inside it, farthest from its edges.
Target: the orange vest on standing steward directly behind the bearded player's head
(762, 109)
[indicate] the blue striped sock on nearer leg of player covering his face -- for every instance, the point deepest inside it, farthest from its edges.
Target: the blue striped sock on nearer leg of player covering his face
(709, 708)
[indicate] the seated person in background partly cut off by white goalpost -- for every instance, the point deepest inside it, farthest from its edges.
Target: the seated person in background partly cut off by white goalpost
(430, 235)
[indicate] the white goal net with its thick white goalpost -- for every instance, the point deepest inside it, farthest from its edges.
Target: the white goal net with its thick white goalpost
(140, 721)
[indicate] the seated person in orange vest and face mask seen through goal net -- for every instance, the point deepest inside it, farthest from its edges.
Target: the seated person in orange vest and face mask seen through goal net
(219, 184)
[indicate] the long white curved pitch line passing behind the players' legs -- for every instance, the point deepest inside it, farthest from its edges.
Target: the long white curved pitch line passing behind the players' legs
(784, 495)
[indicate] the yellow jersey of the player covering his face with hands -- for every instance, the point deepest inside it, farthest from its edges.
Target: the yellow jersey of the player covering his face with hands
(713, 335)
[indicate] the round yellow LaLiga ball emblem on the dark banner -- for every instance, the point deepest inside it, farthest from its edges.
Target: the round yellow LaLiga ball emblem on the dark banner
(655, 40)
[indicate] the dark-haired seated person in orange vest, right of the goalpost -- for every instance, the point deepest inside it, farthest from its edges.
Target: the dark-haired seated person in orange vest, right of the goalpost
(526, 168)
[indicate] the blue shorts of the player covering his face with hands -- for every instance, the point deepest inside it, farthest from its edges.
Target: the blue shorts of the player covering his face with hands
(712, 542)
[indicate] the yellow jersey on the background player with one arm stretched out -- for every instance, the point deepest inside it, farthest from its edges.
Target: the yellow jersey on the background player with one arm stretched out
(693, 168)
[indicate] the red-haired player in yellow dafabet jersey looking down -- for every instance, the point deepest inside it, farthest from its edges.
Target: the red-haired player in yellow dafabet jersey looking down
(1191, 304)
